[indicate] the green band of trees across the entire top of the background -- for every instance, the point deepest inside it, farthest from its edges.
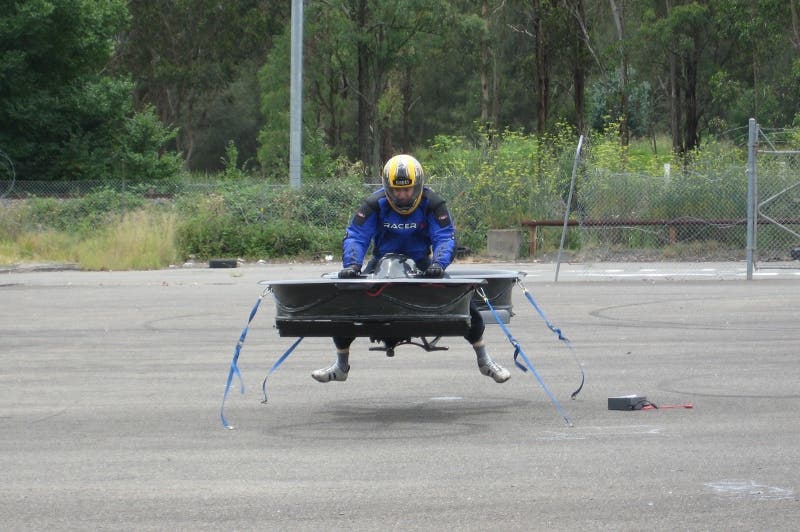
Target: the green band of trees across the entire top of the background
(377, 80)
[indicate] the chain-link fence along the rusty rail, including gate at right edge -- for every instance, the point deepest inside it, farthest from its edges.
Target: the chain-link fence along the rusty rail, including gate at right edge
(694, 213)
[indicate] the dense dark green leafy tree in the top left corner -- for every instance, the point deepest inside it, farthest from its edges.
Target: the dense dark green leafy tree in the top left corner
(61, 116)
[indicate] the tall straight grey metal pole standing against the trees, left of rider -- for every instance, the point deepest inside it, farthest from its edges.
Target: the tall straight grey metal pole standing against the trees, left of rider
(296, 97)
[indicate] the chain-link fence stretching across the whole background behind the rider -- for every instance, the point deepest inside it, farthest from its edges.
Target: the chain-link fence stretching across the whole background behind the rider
(693, 213)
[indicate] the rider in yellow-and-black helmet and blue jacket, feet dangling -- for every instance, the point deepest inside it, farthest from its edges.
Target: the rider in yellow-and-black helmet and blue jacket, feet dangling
(409, 218)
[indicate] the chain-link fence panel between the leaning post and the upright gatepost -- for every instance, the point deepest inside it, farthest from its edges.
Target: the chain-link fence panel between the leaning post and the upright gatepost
(683, 215)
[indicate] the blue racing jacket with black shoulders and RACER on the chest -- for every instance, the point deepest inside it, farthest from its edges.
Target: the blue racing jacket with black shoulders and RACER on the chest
(426, 235)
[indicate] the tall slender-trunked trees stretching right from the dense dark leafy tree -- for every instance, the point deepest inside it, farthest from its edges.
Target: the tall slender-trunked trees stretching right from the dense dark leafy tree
(381, 77)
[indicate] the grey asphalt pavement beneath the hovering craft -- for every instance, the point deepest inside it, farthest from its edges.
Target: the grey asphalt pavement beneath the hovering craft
(111, 389)
